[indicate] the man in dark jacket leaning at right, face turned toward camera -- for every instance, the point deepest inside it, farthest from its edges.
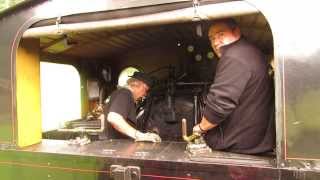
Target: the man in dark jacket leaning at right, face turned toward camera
(238, 113)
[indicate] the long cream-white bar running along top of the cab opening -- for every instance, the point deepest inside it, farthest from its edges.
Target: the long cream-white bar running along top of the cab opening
(205, 12)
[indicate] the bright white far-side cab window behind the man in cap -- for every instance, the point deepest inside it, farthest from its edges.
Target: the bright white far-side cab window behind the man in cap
(59, 81)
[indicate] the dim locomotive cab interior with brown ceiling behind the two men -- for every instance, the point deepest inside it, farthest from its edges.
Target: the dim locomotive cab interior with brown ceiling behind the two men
(178, 57)
